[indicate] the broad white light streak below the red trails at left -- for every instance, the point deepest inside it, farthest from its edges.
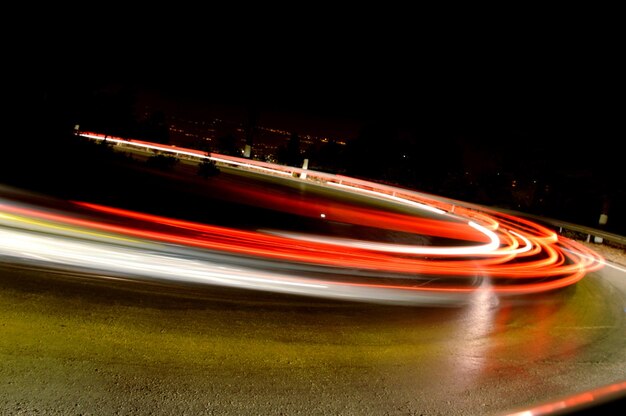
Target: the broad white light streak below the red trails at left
(132, 261)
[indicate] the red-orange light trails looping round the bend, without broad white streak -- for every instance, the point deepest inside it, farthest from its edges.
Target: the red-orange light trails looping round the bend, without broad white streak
(515, 255)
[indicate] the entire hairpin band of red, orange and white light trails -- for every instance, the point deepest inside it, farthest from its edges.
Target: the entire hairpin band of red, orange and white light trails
(514, 255)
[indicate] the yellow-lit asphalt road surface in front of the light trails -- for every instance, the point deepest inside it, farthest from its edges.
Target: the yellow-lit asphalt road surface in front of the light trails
(102, 344)
